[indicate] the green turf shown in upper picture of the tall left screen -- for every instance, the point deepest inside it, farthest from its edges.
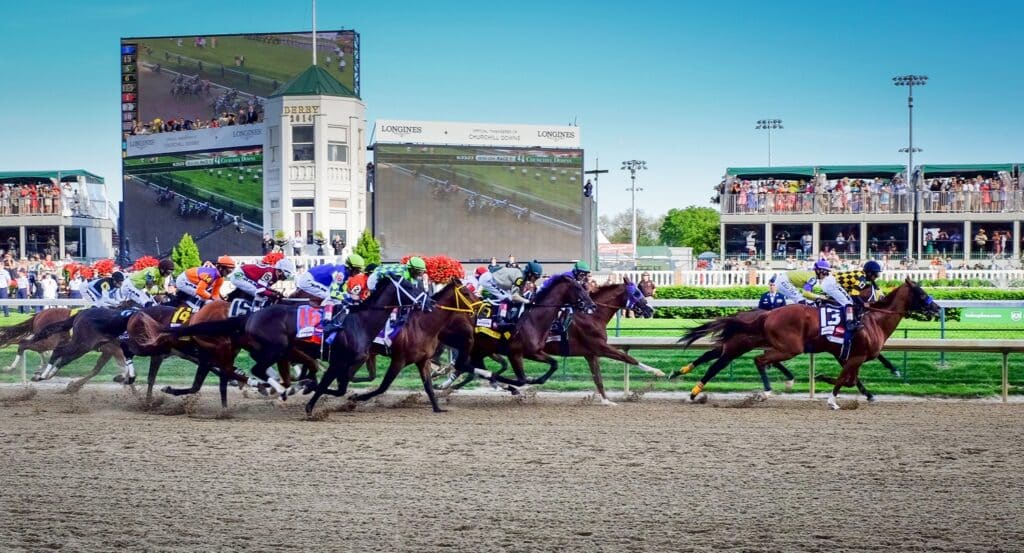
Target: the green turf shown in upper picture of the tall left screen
(271, 63)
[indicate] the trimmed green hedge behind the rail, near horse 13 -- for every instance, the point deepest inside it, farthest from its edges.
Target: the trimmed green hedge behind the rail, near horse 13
(755, 292)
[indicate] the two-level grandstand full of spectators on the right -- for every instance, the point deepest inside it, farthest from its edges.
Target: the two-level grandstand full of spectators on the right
(966, 215)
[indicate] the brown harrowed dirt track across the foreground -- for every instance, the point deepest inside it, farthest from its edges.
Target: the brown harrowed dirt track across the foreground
(95, 474)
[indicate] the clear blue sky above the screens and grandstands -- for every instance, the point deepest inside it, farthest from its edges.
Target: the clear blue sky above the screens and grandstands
(679, 86)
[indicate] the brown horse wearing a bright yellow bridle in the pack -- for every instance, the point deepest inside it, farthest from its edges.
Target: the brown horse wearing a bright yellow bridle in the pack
(452, 323)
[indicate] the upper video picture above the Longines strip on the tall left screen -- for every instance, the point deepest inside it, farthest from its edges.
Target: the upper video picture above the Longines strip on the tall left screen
(200, 78)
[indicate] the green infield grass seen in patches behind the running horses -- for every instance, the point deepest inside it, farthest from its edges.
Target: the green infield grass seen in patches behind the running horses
(965, 375)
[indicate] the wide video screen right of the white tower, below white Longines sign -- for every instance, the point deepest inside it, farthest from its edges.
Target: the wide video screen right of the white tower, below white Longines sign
(477, 203)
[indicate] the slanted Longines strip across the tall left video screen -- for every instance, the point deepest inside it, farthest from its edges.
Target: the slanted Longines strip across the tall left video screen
(170, 143)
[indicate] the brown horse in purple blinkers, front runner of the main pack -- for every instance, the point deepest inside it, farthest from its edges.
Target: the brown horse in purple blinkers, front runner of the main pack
(588, 335)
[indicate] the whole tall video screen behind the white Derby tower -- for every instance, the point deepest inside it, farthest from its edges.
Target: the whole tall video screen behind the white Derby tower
(192, 118)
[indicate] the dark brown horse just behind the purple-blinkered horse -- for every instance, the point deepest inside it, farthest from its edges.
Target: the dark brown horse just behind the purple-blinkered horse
(531, 334)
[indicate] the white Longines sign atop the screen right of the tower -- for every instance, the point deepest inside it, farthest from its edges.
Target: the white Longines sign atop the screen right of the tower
(485, 135)
